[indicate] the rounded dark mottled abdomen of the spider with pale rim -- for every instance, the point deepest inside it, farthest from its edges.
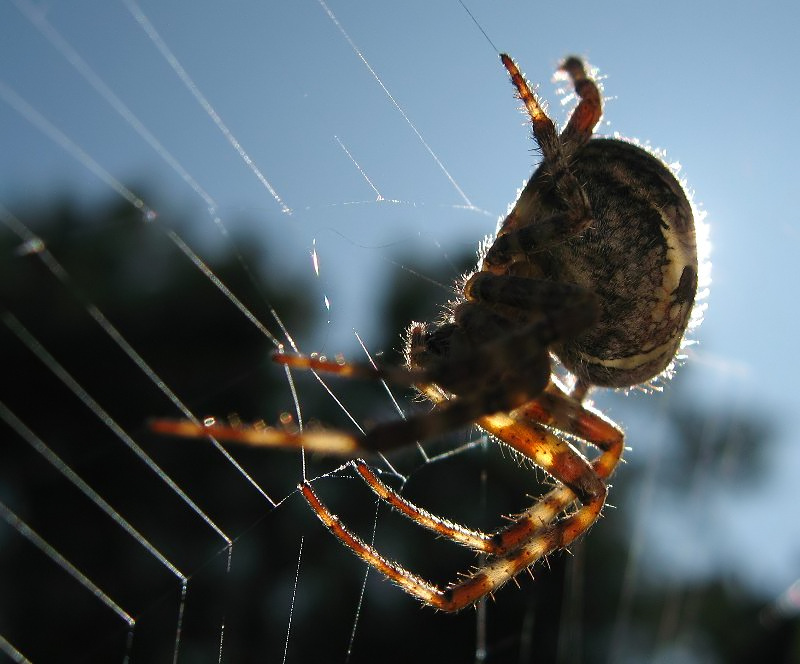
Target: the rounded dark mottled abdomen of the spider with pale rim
(638, 255)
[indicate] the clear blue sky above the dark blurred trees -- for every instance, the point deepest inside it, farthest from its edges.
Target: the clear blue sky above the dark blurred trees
(712, 83)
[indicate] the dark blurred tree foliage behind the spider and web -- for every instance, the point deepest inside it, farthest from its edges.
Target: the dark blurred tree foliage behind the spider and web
(582, 607)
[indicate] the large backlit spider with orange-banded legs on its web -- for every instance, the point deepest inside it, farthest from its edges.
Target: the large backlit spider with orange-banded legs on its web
(596, 265)
